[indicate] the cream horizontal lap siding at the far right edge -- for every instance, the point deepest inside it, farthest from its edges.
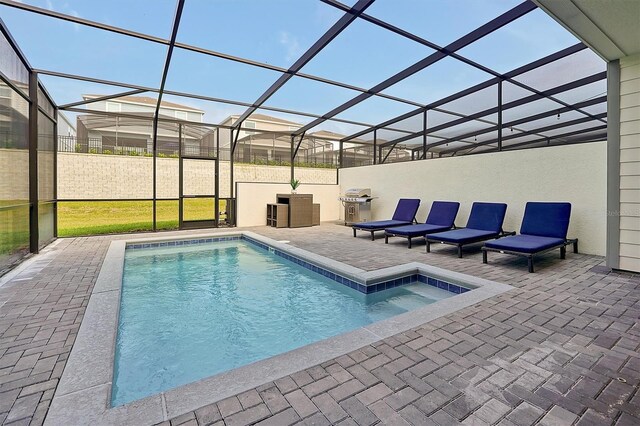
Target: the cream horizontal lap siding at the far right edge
(630, 163)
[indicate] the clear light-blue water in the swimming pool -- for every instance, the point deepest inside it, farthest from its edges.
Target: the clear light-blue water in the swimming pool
(190, 312)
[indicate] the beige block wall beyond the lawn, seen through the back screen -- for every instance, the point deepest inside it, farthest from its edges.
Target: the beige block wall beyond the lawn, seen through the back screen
(89, 176)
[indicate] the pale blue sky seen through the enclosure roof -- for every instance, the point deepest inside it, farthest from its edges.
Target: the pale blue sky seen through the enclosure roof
(277, 32)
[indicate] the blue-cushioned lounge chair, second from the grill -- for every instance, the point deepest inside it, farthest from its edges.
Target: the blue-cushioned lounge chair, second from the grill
(441, 218)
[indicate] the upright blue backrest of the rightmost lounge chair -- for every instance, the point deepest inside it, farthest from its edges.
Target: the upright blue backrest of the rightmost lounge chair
(546, 219)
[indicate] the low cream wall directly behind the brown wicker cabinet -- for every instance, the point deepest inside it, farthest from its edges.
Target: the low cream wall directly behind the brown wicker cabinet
(252, 200)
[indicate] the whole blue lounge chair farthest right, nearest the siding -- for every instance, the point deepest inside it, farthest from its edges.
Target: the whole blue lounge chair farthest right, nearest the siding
(544, 228)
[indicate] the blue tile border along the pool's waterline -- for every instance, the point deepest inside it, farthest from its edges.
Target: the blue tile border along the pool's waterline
(361, 287)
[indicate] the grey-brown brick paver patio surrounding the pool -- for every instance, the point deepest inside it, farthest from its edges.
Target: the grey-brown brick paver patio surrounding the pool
(561, 348)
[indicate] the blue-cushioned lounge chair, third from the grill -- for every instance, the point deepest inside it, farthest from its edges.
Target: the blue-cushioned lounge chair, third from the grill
(485, 223)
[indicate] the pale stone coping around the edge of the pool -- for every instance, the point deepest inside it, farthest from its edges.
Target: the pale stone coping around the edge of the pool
(84, 393)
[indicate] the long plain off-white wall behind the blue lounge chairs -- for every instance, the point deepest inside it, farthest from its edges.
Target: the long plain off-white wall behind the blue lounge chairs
(573, 173)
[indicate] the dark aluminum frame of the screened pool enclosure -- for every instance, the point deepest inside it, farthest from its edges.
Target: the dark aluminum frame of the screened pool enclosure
(351, 14)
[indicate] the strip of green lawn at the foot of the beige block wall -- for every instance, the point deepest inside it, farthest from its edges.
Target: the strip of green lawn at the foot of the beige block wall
(110, 217)
